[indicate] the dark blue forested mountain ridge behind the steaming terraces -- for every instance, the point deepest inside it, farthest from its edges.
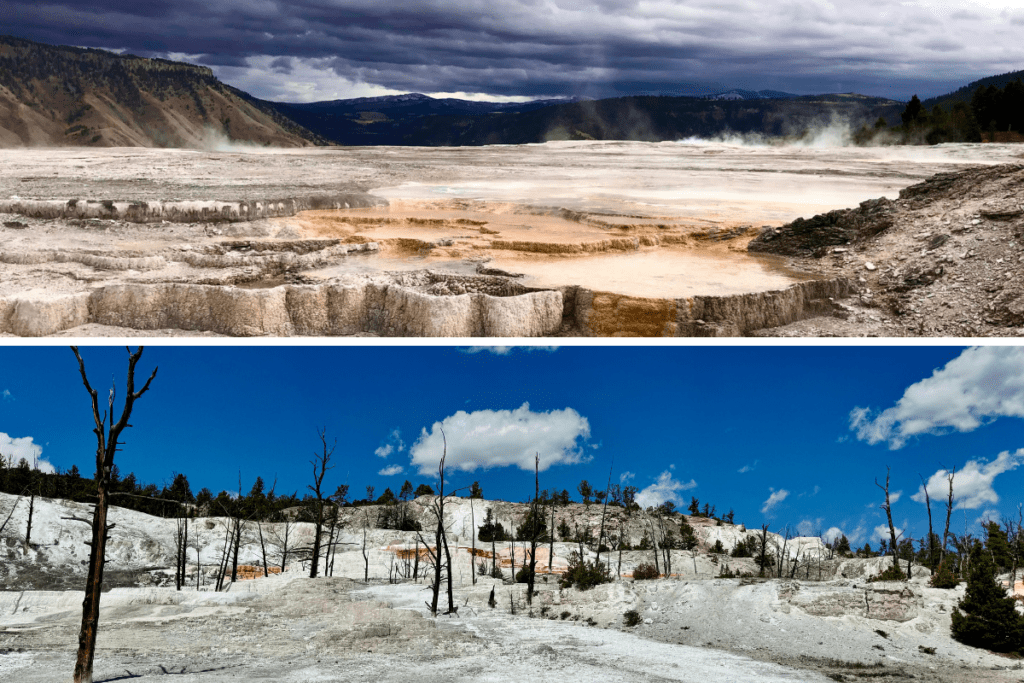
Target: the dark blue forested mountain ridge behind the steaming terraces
(651, 118)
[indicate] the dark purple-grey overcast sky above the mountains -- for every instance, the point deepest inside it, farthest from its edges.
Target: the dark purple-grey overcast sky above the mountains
(306, 51)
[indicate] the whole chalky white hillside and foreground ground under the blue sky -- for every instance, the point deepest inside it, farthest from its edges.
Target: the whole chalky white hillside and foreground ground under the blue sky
(827, 623)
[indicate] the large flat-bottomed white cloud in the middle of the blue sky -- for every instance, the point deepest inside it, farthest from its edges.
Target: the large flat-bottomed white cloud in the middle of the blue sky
(499, 439)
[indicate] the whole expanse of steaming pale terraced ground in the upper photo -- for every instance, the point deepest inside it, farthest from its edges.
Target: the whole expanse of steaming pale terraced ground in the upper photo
(626, 239)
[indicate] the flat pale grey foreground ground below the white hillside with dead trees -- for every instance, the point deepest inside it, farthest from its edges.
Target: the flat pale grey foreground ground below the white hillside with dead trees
(294, 629)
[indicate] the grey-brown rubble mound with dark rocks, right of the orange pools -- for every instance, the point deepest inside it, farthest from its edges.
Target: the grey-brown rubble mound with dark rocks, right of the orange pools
(946, 260)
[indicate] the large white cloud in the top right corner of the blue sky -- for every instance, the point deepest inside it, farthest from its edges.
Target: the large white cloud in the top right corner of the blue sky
(980, 386)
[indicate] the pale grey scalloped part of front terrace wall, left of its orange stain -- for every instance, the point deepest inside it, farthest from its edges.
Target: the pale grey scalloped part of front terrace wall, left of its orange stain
(391, 311)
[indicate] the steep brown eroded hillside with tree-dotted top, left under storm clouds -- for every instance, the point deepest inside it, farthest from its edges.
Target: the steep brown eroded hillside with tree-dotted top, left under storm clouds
(60, 96)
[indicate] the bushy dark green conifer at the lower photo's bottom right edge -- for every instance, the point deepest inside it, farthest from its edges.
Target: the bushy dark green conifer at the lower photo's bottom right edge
(987, 618)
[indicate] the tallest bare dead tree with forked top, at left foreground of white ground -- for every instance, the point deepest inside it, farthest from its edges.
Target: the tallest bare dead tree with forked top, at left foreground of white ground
(108, 435)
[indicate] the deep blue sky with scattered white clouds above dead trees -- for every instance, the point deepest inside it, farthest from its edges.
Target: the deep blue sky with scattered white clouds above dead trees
(790, 436)
